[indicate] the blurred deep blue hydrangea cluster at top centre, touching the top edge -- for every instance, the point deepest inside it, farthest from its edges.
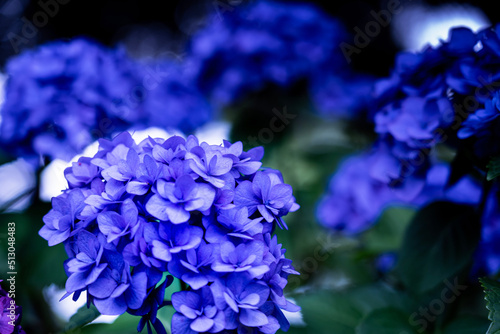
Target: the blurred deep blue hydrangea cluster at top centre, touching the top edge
(270, 42)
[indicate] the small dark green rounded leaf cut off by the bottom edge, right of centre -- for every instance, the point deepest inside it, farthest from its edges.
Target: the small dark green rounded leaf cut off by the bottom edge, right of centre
(386, 320)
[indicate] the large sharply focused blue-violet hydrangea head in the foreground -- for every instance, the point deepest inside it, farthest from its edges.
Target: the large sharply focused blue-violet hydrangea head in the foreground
(203, 213)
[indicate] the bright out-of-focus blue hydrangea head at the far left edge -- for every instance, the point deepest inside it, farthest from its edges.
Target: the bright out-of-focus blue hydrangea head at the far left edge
(62, 96)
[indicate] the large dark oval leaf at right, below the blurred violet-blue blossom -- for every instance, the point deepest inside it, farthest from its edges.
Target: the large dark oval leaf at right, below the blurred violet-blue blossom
(439, 243)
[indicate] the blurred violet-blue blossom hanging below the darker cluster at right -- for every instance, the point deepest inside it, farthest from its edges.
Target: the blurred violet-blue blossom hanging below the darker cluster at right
(357, 195)
